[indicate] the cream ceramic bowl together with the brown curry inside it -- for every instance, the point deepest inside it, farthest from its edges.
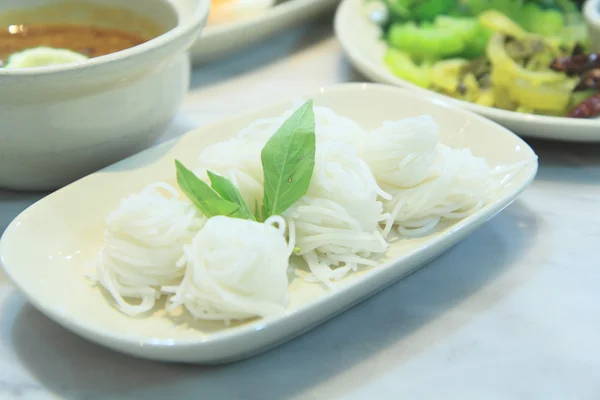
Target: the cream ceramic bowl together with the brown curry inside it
(102, 80)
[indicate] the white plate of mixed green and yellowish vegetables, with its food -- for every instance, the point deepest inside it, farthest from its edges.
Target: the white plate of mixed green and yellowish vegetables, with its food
(482, 60)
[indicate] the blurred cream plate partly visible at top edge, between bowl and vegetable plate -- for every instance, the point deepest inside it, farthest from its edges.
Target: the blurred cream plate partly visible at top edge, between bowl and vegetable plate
(236, 24)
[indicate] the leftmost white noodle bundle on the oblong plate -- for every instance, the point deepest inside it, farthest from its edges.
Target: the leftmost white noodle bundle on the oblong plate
(143, 245)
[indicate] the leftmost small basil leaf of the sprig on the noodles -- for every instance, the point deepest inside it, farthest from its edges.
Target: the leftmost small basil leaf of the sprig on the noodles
(202, 196)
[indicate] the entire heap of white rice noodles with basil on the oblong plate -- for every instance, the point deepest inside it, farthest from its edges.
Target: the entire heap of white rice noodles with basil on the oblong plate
(363, 185)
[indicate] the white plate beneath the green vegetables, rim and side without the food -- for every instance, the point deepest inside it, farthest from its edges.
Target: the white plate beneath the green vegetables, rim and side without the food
(360, 40)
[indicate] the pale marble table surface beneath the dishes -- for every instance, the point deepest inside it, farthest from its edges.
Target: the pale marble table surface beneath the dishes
(513, 312)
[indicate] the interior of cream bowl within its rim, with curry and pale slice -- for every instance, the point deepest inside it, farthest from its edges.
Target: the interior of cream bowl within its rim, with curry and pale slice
(70, 32)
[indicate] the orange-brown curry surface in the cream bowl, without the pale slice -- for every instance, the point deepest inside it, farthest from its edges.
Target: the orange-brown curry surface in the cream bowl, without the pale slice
(88, 40)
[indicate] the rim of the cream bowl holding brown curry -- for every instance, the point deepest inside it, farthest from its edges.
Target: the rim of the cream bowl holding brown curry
(198, 17)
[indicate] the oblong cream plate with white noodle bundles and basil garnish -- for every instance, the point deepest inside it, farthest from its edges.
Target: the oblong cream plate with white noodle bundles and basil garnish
(244, 234)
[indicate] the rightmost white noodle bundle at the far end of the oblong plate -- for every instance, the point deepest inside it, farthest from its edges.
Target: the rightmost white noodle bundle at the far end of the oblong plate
(429, 181)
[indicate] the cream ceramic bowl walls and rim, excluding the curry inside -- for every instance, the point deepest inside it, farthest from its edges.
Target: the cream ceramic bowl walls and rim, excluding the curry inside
(62, 122)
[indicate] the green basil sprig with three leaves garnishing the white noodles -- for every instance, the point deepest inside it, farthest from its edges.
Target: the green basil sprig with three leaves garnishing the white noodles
(288, 160)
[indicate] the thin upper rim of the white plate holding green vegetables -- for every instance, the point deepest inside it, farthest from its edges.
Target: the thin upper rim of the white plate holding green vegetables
(371, 69)
